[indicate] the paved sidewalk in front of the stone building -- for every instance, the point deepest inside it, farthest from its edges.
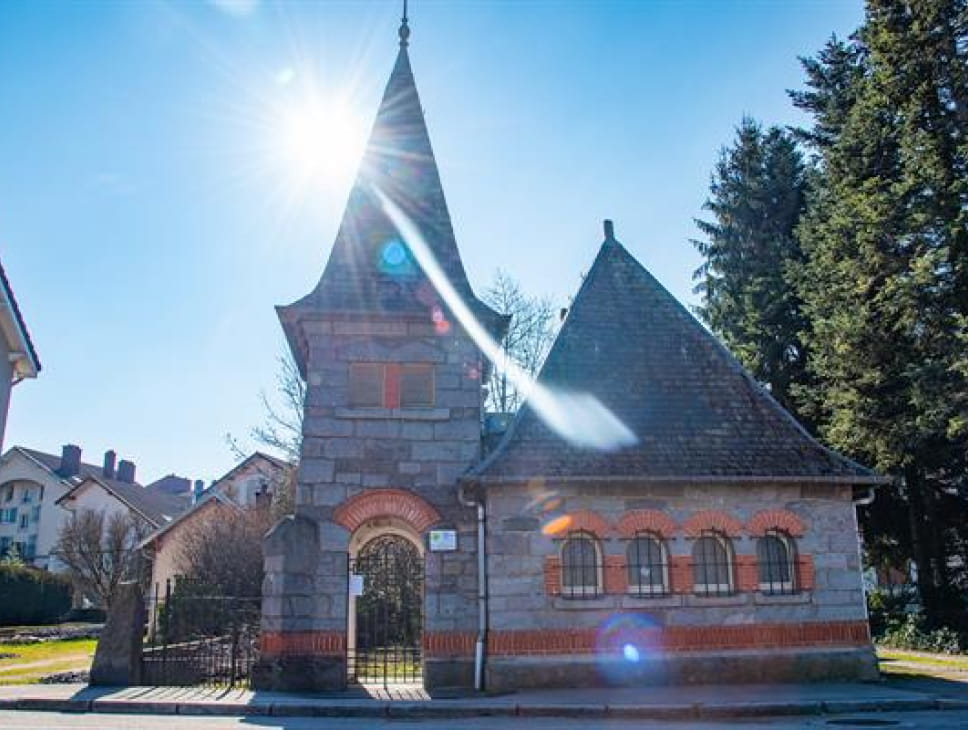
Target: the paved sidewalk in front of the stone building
(657, 703)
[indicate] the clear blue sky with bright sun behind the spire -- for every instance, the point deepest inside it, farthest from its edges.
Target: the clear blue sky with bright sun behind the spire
(153, 208)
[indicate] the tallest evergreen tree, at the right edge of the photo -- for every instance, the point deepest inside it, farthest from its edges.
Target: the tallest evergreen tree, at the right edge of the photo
(884, 281)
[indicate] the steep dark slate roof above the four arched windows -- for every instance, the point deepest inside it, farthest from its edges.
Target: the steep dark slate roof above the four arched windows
(697, 415)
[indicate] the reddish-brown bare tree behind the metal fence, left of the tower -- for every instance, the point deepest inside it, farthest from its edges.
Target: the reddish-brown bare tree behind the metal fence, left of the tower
(222, 550)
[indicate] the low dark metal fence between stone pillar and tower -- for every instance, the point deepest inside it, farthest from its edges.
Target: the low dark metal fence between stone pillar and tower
(197, 637)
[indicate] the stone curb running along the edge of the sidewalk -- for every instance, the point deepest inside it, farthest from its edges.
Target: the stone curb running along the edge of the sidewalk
(458, 709)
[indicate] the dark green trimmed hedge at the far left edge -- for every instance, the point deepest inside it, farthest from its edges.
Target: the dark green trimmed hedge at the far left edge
(31, 596)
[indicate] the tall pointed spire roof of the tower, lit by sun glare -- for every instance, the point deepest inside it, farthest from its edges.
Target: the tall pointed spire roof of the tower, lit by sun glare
(371, 271)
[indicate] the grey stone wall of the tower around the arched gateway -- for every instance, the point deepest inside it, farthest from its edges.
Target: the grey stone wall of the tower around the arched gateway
(347, 452)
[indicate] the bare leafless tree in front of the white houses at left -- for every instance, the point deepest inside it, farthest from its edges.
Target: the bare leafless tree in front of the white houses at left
(100, 551)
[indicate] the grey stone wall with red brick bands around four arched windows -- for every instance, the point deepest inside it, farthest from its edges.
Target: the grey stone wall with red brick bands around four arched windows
(531, 622)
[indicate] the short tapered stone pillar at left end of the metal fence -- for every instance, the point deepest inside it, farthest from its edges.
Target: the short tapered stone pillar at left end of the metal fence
(117, 661)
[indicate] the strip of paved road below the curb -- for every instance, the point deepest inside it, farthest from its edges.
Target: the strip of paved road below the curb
(58, 721)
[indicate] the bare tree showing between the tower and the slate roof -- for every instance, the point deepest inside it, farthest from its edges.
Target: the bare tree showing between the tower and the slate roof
(528, 339)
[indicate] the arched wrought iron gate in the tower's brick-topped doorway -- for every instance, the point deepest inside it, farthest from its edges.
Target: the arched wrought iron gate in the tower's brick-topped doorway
(389, 612)
